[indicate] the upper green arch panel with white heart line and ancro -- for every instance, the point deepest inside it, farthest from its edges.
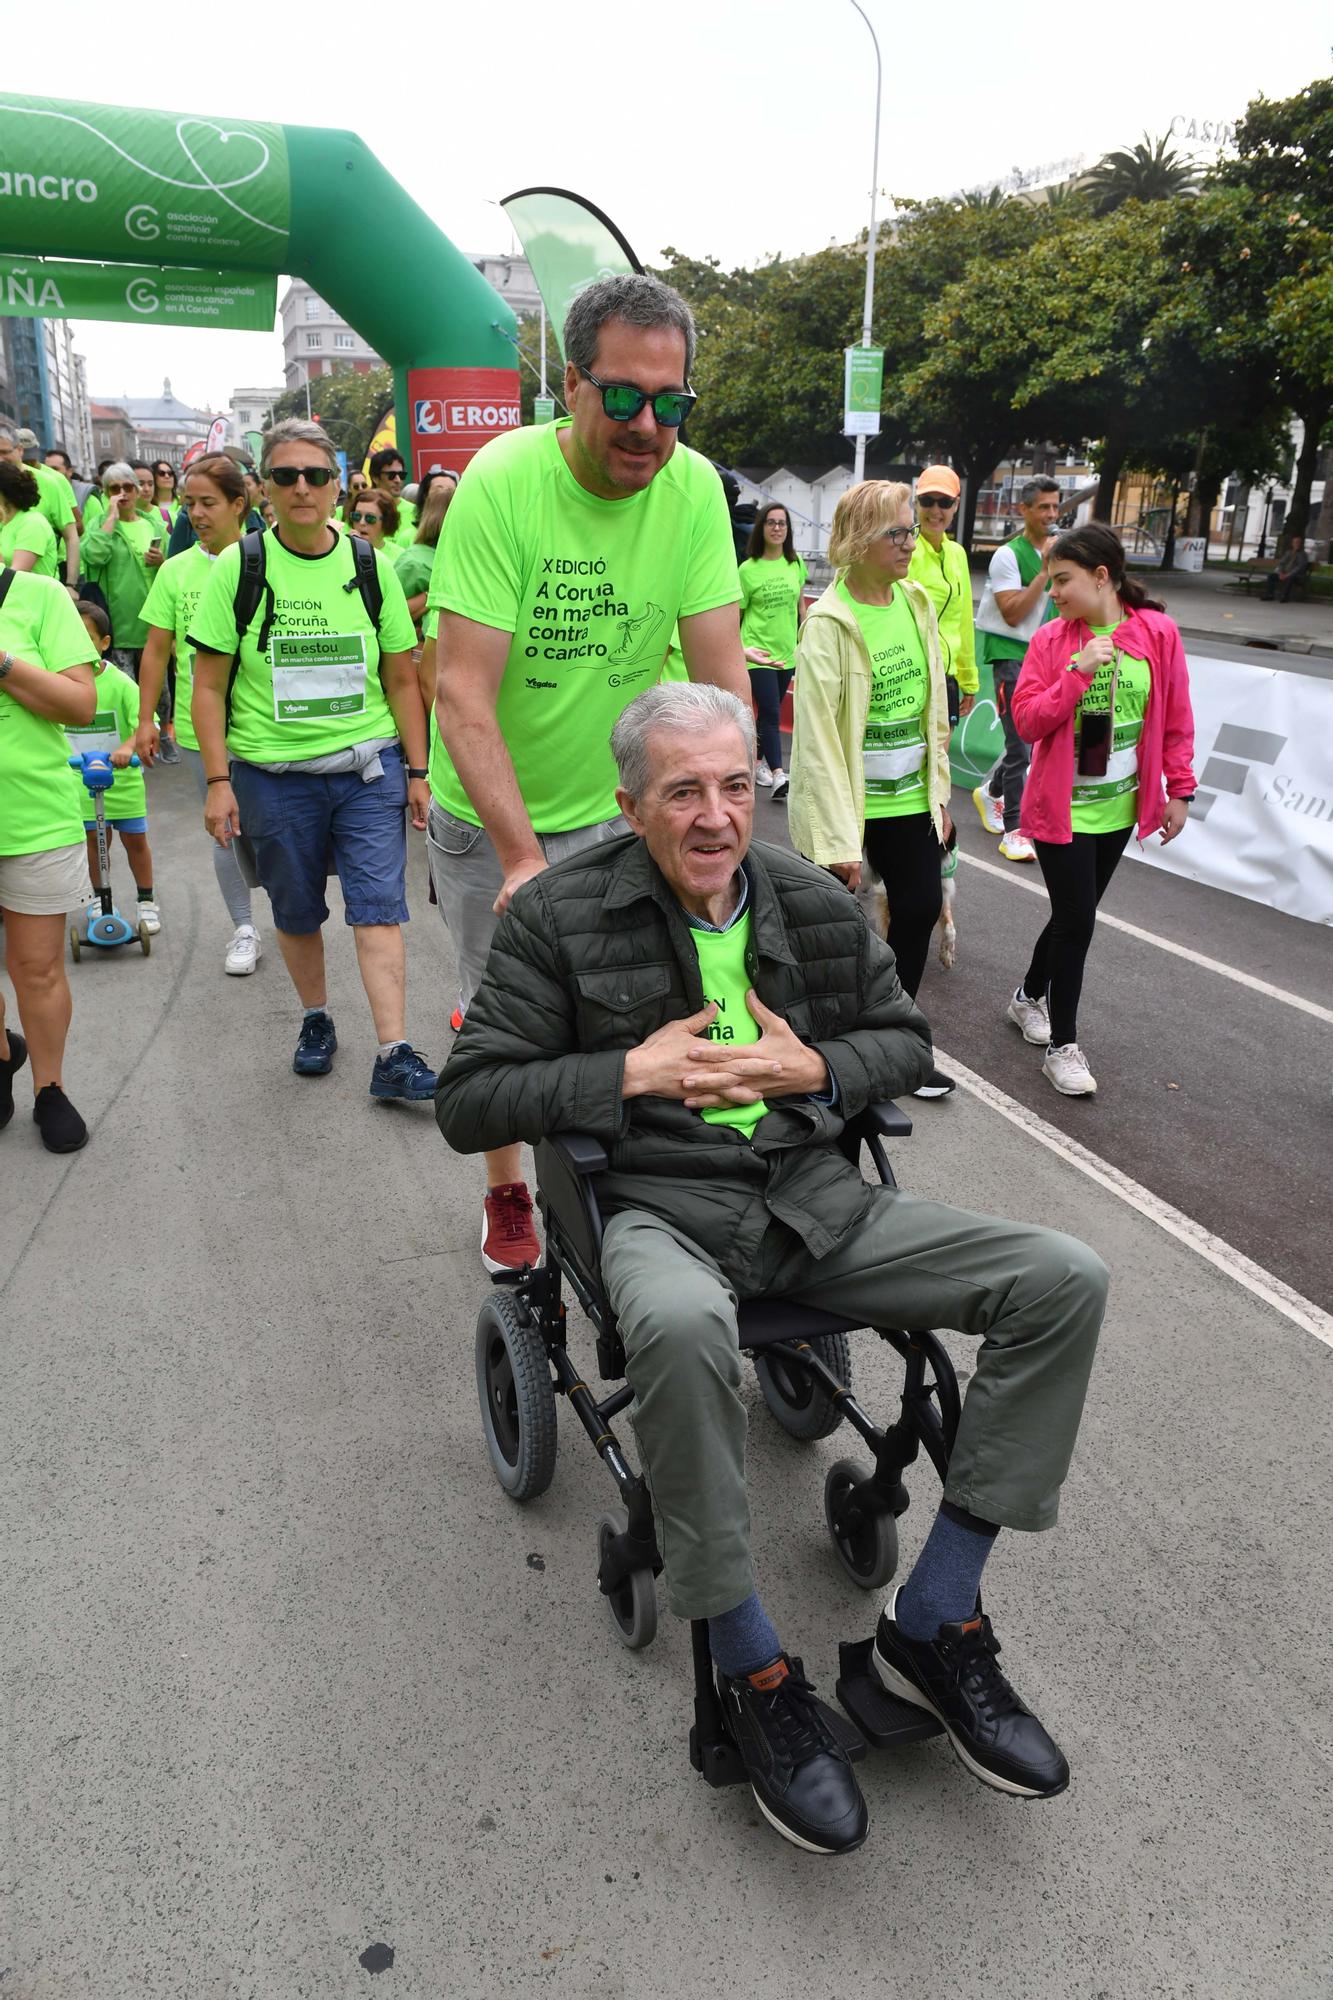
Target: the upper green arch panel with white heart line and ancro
(105, 181)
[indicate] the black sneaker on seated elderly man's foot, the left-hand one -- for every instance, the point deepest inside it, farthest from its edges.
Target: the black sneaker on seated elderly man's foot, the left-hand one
(800, 1775)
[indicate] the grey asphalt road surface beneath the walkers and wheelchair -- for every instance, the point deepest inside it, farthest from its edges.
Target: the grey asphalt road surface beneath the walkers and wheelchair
(287, 1677)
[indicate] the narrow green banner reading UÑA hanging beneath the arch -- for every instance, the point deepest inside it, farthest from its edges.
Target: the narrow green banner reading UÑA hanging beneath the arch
(137, 293)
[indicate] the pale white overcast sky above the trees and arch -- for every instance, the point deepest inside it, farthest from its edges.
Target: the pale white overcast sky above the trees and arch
(724, 127)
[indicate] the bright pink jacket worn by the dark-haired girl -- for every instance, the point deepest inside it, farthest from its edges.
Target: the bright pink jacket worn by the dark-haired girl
(1044, 709)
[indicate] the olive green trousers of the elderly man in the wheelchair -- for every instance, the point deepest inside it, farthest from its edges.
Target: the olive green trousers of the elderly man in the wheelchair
(1030, 1295)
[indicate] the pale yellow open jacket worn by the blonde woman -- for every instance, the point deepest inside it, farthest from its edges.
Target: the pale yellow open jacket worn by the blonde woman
(832, 705)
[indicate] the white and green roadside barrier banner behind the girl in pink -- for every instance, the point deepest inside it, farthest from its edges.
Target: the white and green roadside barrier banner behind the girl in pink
(1262, 825)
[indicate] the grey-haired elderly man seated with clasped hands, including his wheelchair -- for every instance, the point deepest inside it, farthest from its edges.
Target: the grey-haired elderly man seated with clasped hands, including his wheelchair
(720, 1023)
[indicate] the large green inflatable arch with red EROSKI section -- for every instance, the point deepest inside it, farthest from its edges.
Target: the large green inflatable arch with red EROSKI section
(189, 221)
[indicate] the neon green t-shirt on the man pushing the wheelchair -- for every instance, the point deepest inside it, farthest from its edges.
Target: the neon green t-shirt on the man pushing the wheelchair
(589, 593)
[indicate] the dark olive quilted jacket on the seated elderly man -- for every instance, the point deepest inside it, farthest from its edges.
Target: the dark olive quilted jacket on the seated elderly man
(595, 955)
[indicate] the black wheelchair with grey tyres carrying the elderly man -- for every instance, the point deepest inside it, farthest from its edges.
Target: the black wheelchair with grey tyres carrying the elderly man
(802, 1357)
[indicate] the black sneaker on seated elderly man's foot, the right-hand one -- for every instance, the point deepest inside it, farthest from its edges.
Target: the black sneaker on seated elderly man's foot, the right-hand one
(956, 1677)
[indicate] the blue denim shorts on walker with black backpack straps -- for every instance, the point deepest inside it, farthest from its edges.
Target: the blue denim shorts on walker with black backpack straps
(305, 827)
